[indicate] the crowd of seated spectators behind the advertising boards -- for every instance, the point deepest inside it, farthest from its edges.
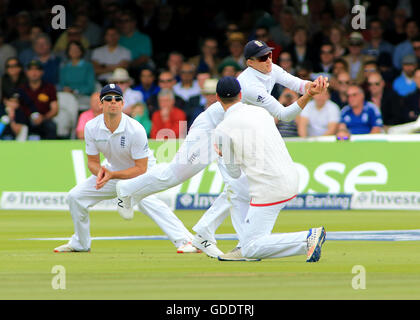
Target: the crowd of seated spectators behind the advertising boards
(167, 56)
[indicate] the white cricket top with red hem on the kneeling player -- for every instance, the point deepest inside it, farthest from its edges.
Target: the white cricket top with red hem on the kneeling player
(249, 139)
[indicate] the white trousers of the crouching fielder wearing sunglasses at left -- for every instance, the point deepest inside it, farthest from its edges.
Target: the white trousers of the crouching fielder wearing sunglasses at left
(84, 195)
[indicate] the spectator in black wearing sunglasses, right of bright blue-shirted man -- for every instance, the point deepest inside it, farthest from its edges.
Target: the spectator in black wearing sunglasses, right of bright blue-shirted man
(388, 101)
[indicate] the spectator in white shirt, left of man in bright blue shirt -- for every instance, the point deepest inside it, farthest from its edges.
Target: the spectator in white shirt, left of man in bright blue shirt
(320, 117)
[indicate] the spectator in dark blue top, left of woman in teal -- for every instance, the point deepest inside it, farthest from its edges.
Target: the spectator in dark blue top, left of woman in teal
(50, 62)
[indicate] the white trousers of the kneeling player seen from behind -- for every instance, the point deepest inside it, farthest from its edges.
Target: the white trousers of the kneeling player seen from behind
(257, 240)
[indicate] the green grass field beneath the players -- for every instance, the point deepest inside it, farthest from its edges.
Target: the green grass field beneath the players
(151, 269)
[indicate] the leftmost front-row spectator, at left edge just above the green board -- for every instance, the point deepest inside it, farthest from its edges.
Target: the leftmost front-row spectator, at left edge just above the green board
(12, 118)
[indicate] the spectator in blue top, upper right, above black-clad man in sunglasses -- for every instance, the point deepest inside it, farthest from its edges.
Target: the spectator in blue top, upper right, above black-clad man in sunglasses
(377, 44)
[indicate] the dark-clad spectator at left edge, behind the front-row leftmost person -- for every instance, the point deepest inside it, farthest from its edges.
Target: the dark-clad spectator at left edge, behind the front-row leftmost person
(13, 78)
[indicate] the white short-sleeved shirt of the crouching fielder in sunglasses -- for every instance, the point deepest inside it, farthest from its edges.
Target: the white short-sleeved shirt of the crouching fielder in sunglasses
(120, 148)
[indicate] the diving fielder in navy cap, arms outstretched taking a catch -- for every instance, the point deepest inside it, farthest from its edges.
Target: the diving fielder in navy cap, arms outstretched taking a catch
(196, 152)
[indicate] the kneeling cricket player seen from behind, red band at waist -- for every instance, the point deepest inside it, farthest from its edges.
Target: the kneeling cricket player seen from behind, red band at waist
(249, 142)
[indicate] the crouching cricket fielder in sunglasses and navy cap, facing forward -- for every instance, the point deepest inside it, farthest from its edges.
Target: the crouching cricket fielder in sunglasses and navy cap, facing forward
(123, 142)
